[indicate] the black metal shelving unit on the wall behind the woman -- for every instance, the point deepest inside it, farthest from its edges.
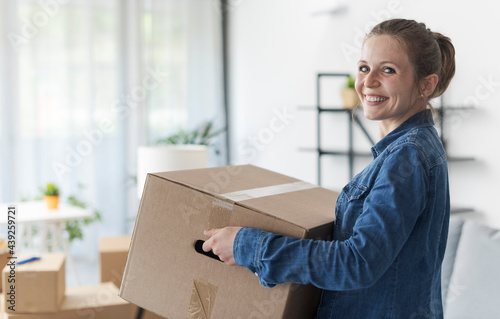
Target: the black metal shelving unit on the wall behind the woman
(352, 118)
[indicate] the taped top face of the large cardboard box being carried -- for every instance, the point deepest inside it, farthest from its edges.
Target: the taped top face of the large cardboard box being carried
(265, 191)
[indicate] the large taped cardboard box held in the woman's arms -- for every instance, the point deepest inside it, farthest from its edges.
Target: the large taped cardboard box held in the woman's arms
(165, 274)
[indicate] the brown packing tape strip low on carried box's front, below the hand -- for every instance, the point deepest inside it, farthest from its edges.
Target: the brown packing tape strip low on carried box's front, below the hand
(202, 299)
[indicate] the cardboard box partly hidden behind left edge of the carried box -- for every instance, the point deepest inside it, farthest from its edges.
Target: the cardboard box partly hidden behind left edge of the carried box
(113, 253)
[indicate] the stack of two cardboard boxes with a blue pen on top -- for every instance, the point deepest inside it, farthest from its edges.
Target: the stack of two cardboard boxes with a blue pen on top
(36, 290)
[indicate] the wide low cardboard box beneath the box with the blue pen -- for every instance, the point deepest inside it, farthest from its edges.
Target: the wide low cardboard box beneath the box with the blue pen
(97, 302)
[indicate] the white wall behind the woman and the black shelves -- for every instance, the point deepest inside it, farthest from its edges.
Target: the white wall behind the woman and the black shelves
(277, 47)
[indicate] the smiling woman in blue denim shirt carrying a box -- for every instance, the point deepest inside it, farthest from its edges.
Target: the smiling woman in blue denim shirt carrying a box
(392, 219)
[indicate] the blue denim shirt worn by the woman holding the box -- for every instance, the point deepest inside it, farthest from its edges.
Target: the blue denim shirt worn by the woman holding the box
(389, 236)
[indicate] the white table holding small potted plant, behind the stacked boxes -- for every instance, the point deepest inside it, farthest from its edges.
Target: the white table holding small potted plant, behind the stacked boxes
(31, 214)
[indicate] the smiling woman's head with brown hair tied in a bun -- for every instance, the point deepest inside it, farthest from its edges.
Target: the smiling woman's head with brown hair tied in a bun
(402, 66)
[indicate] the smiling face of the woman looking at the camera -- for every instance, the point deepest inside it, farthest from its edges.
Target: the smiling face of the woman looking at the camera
(385, 82)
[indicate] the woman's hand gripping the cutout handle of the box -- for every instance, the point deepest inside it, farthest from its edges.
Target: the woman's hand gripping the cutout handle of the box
(220, 242)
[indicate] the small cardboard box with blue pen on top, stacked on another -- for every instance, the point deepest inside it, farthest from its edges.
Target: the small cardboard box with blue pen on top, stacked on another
(39, 285)
